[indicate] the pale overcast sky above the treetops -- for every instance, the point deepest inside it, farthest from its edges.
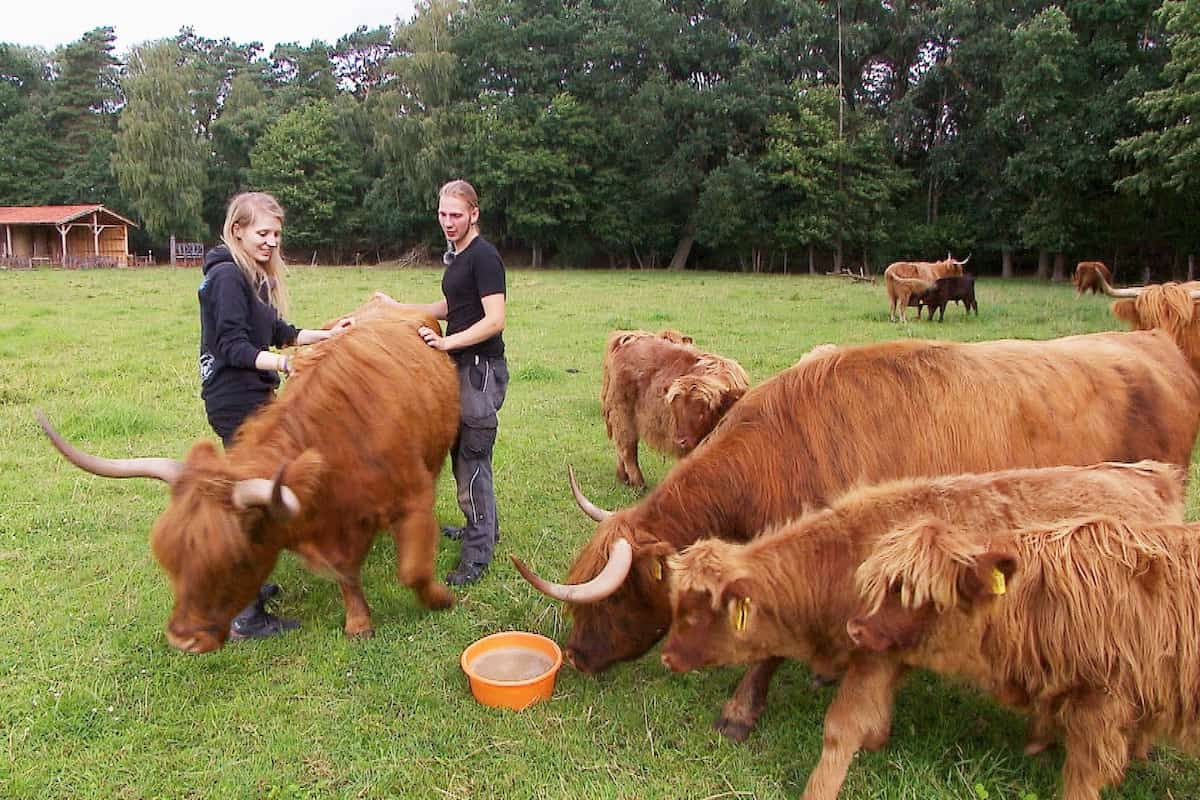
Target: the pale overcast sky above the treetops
(28, 22)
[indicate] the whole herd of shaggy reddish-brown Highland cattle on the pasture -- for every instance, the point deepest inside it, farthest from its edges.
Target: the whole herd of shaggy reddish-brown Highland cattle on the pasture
(1029, 538)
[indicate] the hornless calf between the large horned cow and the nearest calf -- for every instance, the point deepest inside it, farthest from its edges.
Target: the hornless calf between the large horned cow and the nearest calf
(791, 592)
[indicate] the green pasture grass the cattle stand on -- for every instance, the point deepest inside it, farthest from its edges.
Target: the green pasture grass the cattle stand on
(95, 705)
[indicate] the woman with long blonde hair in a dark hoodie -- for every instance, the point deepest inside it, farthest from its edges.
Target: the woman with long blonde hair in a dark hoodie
(243, 299)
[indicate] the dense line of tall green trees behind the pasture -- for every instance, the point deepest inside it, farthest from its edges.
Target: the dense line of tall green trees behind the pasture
(754, 135)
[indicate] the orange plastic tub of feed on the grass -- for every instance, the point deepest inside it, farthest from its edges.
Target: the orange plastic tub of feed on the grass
(512, 670)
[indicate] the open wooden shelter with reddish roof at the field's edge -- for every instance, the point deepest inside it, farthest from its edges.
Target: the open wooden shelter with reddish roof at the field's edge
(69, 236)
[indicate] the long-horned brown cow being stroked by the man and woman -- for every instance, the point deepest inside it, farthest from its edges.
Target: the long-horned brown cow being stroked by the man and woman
(355, 444)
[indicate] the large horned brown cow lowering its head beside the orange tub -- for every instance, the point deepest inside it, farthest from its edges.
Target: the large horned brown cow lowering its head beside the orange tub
(863, 416)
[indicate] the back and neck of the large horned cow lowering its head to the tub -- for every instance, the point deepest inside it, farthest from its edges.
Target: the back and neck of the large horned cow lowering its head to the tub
(910, 408)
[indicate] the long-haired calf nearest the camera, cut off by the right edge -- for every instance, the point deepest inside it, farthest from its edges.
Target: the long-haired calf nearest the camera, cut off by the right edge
(1089, 624)
